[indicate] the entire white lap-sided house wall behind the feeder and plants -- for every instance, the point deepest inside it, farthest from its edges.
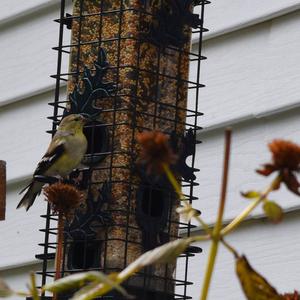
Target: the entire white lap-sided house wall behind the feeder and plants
(253, 83)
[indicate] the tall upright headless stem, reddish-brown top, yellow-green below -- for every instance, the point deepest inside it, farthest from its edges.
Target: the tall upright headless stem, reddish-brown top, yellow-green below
(218, 226)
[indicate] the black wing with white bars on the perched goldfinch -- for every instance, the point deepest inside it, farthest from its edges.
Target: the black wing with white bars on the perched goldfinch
(54, 152)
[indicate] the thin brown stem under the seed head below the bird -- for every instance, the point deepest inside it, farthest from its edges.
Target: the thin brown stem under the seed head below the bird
(59, 248)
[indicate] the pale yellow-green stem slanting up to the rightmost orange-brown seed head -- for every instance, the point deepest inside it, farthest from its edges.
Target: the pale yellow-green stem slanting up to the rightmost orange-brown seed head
(245, 213)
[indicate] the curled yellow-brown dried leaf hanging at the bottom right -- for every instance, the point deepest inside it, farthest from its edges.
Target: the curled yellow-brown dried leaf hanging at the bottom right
(255, 287)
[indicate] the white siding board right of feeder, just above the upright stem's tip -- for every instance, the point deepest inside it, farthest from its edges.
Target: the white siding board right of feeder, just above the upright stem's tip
(251, 72)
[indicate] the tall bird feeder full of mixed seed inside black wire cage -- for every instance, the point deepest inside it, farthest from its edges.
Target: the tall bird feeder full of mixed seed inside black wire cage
(129, 72)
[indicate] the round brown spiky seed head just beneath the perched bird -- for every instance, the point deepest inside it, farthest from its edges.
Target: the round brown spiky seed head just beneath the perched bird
(63, 198)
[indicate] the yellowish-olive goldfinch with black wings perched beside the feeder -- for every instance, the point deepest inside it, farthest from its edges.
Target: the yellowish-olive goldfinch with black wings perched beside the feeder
(64, 154)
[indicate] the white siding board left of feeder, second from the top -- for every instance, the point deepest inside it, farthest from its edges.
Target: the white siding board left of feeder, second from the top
(26, 59)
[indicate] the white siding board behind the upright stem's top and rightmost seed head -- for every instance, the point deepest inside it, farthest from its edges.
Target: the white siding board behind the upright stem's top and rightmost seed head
(249, 151)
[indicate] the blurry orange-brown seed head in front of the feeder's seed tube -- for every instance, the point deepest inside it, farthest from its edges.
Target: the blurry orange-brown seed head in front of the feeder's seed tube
(155, 150)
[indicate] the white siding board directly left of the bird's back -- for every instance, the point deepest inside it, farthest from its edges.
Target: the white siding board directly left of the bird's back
(23, 137)
